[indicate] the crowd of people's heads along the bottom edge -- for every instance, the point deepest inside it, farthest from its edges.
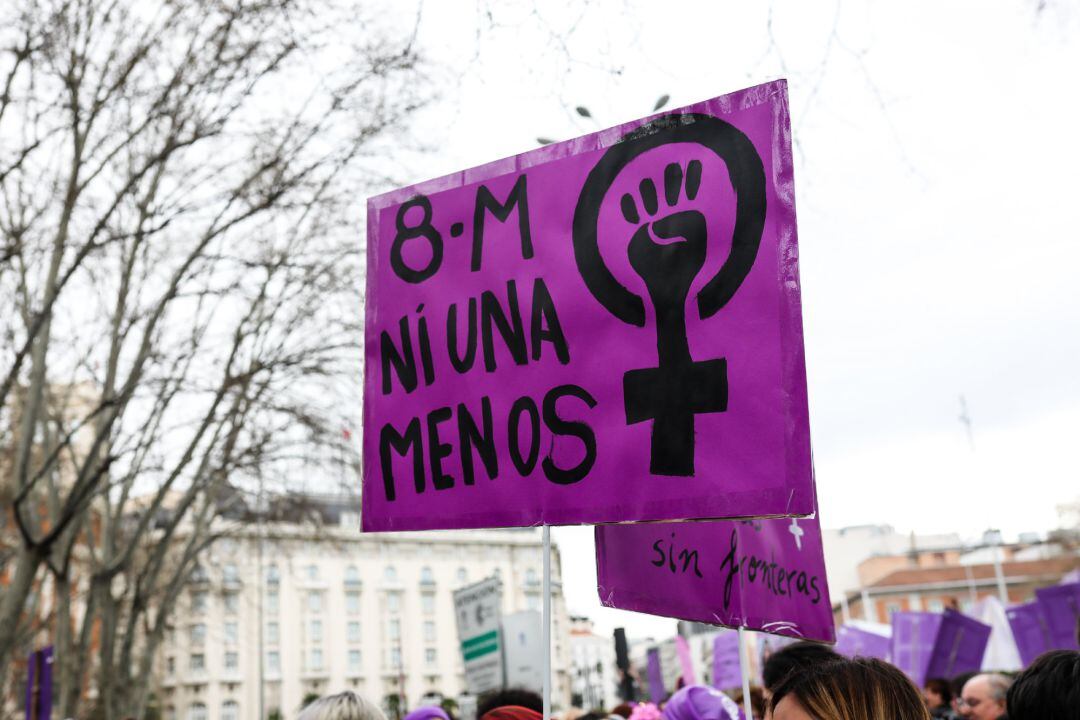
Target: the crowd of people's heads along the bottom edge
(805, 682)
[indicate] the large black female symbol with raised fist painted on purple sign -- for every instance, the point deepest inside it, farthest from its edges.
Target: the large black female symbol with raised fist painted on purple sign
(680, 388)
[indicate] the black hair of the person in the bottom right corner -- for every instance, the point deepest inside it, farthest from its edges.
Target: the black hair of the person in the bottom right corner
(1048, 690)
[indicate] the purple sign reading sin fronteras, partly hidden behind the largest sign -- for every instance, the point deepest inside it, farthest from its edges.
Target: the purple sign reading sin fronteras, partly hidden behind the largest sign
(767, 576)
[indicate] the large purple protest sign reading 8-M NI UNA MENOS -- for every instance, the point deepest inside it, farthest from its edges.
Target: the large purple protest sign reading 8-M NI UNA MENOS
(548, 335)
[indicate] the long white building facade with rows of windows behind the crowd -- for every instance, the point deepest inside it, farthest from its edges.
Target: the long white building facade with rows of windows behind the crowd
(334, 609)
